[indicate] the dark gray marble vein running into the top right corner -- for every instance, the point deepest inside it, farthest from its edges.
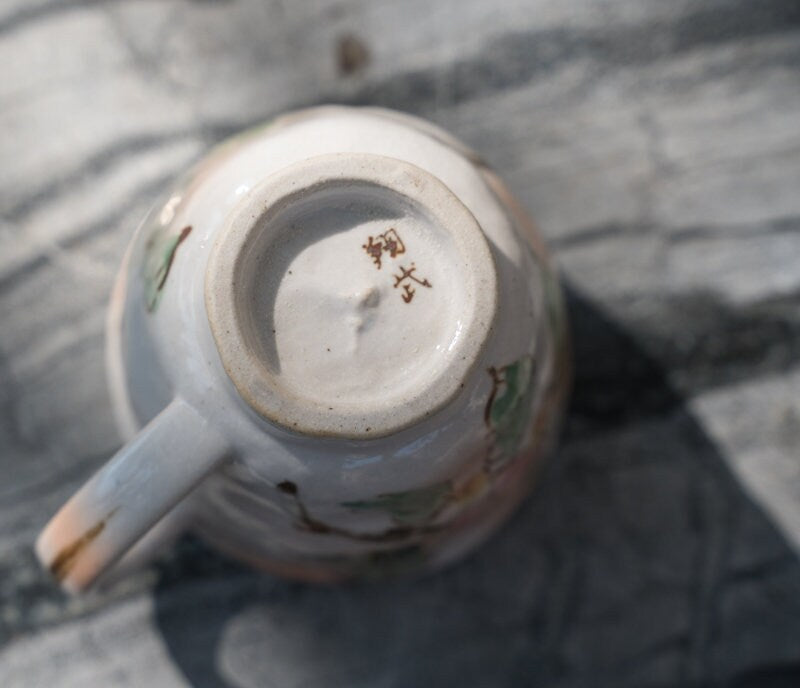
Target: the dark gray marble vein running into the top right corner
(515, 59)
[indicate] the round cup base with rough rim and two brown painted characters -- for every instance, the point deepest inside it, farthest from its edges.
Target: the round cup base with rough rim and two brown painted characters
(350, 296)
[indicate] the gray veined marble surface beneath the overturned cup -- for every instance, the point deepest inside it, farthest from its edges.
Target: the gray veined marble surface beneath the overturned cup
(658, 145)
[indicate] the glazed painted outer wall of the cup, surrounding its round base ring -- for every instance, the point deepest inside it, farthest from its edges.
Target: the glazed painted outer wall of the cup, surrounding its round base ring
(308, 505)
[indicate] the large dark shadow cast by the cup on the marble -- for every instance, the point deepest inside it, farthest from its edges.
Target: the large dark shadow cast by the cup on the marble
(634, 563)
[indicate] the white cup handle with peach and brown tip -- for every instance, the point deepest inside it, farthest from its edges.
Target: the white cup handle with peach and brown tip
(129, 495)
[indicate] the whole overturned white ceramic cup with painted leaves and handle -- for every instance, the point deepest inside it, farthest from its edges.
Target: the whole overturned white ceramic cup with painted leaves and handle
(338, 350)
